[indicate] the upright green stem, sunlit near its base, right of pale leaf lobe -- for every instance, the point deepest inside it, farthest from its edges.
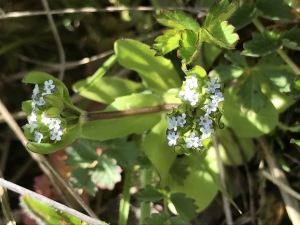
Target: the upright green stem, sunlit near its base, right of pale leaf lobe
(125, 201)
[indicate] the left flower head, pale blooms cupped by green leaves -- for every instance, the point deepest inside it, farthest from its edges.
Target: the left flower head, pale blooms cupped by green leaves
(53, 121)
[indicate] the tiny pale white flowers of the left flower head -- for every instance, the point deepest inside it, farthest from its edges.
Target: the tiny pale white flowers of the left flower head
(37, 119)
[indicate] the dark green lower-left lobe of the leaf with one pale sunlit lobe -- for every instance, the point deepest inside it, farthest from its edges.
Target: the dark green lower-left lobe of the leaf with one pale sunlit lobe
(80, 178)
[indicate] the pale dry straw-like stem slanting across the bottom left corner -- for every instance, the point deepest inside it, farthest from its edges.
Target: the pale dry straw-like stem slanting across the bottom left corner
(49, 202)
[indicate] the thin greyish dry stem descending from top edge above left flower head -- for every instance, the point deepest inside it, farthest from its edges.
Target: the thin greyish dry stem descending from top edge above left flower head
(60, 48)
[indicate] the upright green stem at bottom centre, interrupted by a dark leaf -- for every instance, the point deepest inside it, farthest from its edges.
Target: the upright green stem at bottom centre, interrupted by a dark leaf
(146, 177)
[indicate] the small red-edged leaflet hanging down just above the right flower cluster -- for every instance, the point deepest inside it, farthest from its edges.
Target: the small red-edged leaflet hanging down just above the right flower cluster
(189, 46)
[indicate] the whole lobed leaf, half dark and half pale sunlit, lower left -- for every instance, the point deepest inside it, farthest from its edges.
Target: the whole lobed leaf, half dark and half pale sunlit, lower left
(92, 169)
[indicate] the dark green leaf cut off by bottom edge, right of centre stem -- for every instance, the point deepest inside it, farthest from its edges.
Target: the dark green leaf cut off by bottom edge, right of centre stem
(164, 218)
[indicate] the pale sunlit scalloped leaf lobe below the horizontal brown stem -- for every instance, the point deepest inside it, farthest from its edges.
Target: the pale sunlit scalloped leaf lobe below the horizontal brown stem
(106, 173)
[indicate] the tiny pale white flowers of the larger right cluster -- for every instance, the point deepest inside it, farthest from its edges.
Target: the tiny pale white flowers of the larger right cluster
(195, 133)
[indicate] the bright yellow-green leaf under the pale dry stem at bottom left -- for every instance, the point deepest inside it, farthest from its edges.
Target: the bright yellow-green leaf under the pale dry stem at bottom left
(44, 214)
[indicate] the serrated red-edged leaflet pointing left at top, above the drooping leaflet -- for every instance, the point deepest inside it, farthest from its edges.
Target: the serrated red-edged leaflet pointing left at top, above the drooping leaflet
(177, 20)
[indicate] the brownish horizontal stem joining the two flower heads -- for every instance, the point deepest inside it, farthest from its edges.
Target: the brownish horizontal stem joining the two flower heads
(101, 115)
